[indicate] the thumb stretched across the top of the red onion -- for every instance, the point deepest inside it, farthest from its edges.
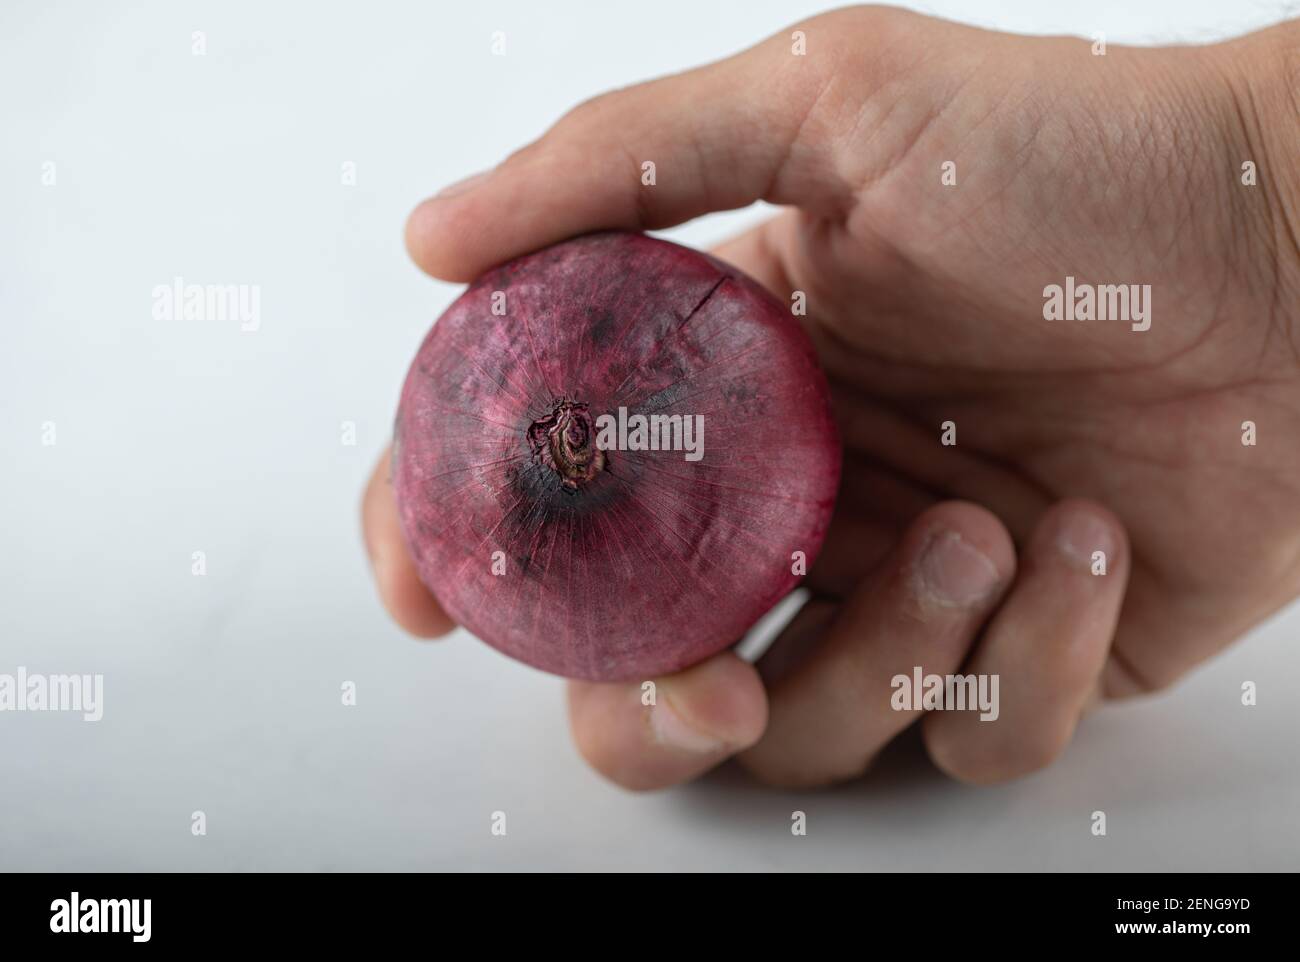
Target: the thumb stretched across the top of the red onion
(720, 137)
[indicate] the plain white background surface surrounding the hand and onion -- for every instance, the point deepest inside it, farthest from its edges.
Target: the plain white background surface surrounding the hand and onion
(223, 692)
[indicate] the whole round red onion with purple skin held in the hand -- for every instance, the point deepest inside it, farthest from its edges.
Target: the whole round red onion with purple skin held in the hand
(621, 565)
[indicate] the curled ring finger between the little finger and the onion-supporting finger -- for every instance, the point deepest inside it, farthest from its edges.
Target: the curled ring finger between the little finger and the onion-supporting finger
(922, 609)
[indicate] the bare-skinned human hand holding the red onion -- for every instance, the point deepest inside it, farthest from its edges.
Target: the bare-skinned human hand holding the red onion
(926, 305)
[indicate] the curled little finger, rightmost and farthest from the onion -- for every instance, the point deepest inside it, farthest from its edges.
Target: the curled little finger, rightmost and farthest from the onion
(1047, 647)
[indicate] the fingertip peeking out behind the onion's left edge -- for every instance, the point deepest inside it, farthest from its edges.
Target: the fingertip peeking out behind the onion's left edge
(401, 590)
